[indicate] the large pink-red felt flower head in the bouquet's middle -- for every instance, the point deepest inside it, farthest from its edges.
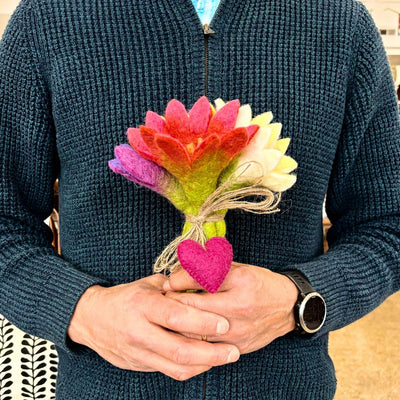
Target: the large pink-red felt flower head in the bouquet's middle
(199, 142)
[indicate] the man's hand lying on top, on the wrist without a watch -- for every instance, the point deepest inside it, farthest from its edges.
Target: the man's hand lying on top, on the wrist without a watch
(134, 326)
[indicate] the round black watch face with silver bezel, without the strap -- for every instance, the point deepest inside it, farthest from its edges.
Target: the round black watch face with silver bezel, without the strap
(312, 312)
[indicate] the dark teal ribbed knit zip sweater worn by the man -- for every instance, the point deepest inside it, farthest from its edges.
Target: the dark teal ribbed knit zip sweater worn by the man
(74, 75)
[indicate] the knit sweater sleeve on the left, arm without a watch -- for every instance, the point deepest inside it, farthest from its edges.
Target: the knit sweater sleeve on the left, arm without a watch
(38, 289)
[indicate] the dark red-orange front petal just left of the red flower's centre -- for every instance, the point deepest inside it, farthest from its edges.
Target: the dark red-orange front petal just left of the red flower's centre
(177, 156)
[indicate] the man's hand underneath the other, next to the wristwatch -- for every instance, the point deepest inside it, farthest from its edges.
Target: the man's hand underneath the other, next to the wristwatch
(257, 302)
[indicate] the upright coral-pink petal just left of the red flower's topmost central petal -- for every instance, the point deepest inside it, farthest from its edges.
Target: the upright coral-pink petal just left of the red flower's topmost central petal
(177, 122)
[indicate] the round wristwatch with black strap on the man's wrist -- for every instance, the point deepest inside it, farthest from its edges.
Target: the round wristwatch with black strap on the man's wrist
(310, 307)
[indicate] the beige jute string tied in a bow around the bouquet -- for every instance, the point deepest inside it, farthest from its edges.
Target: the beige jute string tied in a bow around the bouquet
(224, 198)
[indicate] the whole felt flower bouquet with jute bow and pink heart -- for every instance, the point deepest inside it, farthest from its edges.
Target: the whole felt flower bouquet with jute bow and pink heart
(205, 162)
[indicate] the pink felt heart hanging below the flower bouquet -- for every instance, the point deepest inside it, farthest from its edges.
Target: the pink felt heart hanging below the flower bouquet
(208, 266)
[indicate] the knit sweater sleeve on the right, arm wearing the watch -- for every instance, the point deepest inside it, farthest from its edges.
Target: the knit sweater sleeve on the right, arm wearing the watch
(362, 266)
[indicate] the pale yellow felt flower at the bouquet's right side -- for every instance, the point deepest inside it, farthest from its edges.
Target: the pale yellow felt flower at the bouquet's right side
(267, 149)
